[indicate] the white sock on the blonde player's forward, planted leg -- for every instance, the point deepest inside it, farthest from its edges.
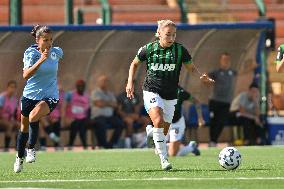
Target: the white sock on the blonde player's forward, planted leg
(160, 142)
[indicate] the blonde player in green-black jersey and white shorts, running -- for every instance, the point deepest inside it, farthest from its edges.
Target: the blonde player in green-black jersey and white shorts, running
(164, 58)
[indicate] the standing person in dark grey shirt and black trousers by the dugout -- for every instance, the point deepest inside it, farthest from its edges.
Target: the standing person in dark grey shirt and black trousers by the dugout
(219, 103)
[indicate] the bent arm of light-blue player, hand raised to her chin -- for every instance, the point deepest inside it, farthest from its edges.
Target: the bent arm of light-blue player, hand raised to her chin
(30, 71)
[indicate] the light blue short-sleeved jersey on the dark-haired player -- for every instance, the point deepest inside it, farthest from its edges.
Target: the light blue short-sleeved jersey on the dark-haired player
(43, 84)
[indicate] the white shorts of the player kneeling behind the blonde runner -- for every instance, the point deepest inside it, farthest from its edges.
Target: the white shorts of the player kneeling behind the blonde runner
(176, 130)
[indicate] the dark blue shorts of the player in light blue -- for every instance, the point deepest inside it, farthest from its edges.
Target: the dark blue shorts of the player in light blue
(27, 105)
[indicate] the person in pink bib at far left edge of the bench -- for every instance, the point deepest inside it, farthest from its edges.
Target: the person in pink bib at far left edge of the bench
(8, 108)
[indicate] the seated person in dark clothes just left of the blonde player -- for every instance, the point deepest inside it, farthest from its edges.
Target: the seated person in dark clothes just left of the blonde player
(129, 111)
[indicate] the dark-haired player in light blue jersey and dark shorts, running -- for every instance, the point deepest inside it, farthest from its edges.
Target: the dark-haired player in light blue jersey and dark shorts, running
(40, 94)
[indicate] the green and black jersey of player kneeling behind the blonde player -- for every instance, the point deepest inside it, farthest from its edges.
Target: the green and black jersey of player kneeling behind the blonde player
(182, 95)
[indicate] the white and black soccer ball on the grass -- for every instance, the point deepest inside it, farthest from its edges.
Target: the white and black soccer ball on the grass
(230, 158)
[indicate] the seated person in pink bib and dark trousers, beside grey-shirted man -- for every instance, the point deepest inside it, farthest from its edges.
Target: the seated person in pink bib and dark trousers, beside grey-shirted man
(76, 106)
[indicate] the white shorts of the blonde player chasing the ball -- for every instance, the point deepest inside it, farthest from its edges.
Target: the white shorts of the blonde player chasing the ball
(152, 100)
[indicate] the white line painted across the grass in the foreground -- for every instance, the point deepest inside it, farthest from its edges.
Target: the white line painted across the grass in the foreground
(142, 179)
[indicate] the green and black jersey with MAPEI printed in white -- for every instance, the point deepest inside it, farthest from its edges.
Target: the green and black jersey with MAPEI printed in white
(163, 67)
